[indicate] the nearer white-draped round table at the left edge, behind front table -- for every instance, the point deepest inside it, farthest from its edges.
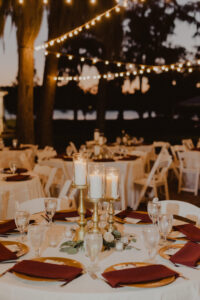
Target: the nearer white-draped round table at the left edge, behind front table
(20, 191)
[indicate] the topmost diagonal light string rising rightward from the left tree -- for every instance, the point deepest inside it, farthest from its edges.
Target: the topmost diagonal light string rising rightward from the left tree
(79, 29)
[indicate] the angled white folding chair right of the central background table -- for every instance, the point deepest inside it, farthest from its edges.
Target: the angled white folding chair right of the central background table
(157, 177)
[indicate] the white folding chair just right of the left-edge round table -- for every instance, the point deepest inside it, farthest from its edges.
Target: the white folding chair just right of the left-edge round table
(47, 176)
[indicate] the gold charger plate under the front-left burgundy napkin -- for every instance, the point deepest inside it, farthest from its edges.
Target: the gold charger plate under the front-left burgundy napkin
(66, 261)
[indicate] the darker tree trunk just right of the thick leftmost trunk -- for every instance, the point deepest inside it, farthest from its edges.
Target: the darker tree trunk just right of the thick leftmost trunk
(45, 114)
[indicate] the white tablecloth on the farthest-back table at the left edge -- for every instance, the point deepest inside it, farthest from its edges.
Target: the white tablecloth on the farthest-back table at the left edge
(25, 161)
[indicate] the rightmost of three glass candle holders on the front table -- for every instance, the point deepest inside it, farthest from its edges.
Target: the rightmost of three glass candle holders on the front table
(112, 183)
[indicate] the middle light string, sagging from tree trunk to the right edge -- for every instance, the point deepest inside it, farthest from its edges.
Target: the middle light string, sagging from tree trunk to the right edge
(130, 65)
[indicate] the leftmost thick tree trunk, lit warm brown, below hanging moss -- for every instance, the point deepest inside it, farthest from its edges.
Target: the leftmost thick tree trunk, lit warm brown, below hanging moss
(25, 116)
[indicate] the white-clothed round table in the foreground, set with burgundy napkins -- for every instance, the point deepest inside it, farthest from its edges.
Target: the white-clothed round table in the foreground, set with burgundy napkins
(84, 287)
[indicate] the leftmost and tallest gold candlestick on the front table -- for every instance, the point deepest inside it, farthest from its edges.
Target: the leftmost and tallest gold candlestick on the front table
(81, 210)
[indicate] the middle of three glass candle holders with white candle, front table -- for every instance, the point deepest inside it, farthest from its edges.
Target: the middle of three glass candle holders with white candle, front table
(96, 180)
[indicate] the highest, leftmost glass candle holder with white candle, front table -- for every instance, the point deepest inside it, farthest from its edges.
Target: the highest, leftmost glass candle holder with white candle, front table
(80, 169)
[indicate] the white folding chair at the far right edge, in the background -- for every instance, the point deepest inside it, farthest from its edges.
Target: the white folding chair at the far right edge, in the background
(187, 167)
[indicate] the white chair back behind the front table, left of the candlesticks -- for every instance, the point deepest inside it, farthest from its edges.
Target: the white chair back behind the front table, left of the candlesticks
(36, 205)
